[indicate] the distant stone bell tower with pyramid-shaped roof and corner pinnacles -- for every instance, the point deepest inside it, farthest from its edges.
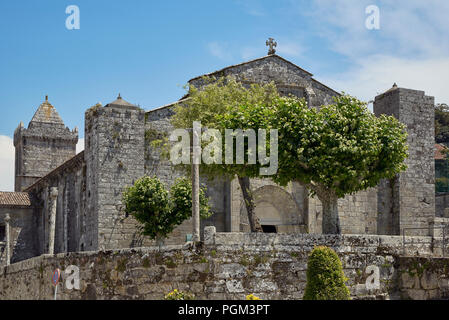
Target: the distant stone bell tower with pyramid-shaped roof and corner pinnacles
(43, 146)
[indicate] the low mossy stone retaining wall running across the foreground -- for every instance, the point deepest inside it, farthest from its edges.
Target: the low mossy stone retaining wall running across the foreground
(232, 265)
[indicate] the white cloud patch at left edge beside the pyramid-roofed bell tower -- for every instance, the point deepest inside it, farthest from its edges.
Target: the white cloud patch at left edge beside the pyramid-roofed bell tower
(7, 156)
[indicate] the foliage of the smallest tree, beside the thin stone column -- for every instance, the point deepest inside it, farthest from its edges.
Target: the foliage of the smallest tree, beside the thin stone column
(159, 210)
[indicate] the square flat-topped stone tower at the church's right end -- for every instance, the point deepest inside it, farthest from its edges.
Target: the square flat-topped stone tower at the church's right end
(409, 200)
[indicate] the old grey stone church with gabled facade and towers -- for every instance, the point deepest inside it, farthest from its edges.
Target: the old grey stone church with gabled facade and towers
(85, 189)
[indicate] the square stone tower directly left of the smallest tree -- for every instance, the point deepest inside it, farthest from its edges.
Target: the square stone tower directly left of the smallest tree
(115, 158)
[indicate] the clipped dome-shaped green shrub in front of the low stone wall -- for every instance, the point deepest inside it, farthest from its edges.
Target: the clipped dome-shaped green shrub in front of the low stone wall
(325, 277)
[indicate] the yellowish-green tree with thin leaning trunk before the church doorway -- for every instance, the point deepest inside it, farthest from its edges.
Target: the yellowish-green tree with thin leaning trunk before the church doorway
(208, 104)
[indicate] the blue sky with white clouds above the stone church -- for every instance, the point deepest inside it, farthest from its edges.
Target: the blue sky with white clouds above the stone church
(148, 50)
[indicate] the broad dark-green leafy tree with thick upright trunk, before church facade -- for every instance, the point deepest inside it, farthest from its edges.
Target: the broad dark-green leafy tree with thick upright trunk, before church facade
(336, 150)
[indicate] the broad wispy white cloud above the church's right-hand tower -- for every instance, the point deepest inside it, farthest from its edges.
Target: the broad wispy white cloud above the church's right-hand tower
(410, 48)
